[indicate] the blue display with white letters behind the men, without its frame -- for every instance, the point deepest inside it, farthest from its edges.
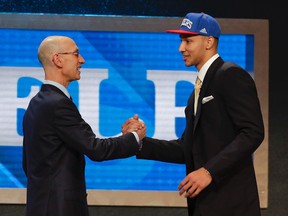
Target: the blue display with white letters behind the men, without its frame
(128, 59)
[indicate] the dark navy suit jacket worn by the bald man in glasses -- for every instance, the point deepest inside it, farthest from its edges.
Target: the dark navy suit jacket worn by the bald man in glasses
(56, 138)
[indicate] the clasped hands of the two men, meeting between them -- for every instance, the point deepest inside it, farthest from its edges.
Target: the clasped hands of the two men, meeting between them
(134, 125)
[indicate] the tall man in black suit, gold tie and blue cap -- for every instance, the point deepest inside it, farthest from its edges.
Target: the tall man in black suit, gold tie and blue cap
(223, 129)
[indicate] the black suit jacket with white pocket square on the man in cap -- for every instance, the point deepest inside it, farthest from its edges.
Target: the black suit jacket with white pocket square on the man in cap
(221, 137)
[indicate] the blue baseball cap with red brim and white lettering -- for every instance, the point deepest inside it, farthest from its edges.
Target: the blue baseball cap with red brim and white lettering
(199, 24)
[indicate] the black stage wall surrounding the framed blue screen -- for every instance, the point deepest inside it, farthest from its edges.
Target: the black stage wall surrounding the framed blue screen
(278, 80)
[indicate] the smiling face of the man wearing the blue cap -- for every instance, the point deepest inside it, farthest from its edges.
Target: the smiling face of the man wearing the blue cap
(197, 49)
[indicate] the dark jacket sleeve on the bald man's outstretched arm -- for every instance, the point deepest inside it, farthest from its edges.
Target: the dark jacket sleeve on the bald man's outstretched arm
(78, 135)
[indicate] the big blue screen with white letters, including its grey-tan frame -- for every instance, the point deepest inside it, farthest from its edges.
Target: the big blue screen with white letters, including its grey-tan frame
(115, 85)
